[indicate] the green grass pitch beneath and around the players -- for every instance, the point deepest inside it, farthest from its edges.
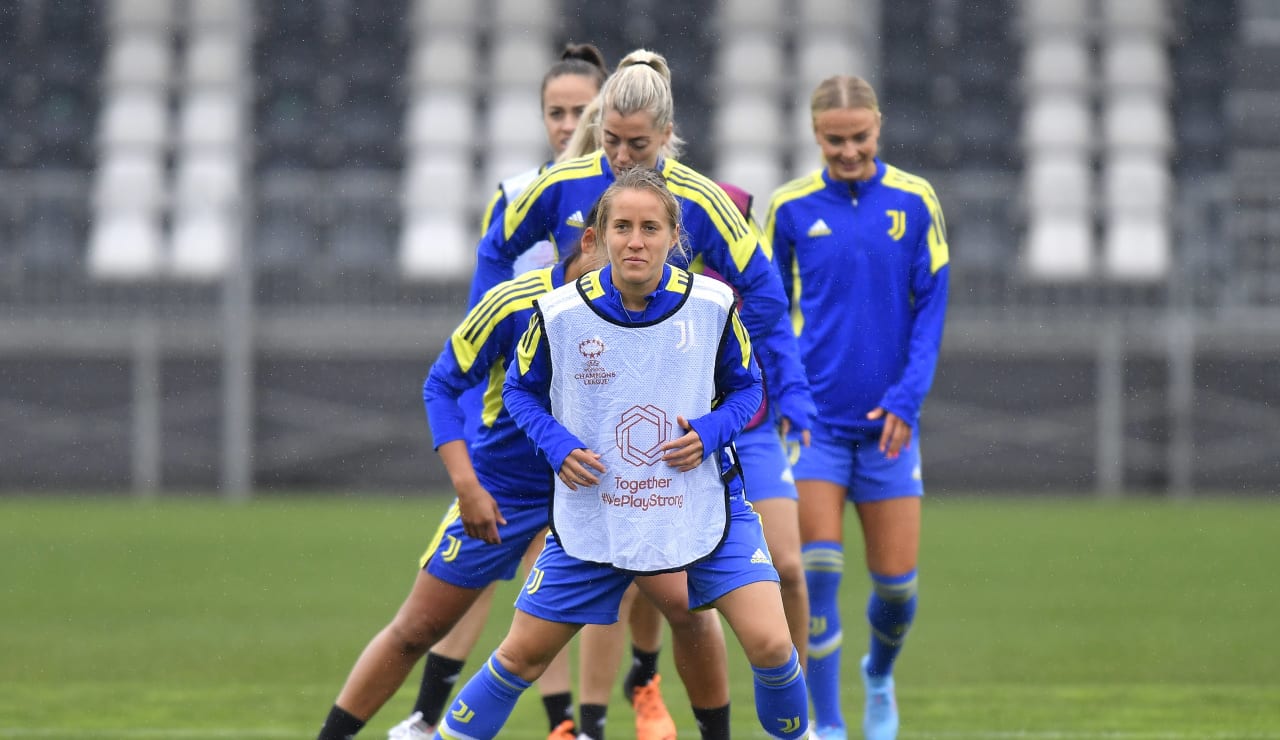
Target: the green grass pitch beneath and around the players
(1041, 620)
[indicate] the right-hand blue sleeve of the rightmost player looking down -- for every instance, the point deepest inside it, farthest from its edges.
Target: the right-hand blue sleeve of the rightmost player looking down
(930, 290)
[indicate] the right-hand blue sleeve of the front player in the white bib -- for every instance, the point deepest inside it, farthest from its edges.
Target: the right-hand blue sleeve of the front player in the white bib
(738, 383)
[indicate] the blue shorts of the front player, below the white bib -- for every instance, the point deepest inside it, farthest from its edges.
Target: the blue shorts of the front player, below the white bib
(565, 590)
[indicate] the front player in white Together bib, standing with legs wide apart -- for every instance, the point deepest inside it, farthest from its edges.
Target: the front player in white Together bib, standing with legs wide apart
(647, 481)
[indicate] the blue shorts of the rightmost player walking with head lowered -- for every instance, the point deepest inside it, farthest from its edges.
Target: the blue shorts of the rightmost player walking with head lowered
(861, 467)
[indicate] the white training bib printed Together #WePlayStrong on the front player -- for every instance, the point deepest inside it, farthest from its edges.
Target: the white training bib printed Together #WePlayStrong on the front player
(620, 390)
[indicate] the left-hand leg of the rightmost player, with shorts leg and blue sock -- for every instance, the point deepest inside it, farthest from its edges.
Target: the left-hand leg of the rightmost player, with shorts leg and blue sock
(822, 473)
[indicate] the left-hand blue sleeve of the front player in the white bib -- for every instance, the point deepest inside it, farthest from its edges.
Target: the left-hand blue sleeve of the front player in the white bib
(528, 396)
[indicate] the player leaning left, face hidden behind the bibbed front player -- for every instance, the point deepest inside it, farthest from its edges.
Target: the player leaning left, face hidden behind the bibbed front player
(502, 487)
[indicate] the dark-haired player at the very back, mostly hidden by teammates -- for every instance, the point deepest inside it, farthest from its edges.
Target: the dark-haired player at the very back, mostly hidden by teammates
(568, 88)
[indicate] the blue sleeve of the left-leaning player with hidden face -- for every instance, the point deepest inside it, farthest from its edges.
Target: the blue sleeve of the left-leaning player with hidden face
(447, 380)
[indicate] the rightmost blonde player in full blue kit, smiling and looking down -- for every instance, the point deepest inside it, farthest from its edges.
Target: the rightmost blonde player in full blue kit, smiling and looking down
(865, 249)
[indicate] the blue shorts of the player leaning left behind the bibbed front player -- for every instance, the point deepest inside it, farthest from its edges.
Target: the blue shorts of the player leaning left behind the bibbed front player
(472, 564)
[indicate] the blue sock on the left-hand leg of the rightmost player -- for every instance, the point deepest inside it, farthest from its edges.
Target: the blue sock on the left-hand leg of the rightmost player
(824, 568)
